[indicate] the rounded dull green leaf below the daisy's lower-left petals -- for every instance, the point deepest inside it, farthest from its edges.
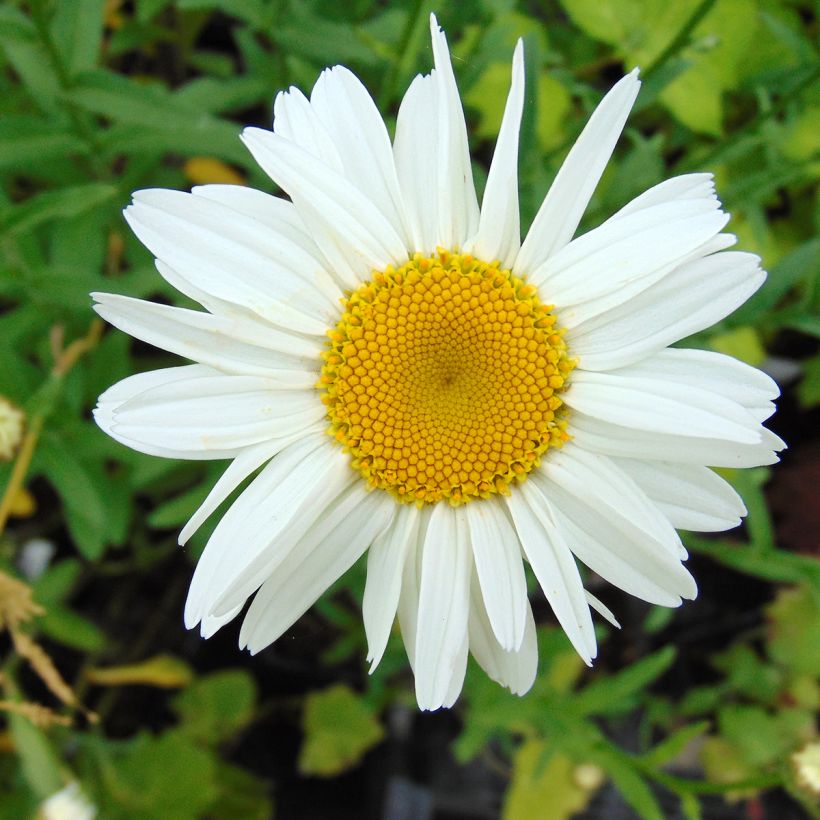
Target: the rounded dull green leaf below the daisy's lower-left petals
(217, 706)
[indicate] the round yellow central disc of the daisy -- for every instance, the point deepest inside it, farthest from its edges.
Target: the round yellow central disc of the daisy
(443, 378)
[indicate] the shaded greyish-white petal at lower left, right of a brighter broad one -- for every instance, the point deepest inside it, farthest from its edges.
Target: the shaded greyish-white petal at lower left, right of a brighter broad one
(326, 551)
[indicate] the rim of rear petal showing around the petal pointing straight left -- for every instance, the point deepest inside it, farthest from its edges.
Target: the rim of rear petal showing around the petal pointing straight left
(123, 391)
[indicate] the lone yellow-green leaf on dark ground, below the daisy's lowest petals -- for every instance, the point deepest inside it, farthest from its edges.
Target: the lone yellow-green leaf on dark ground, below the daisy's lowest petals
(338, 729)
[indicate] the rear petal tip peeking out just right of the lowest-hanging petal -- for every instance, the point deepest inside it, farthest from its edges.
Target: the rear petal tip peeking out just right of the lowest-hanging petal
(517, 669)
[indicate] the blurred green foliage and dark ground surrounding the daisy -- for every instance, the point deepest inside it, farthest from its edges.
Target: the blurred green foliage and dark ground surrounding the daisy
(707, 711)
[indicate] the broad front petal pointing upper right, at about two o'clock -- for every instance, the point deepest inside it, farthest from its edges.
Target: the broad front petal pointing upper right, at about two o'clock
(626, 255)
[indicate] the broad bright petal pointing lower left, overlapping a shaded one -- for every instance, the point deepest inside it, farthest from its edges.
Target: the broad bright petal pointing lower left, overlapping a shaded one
(264, 523)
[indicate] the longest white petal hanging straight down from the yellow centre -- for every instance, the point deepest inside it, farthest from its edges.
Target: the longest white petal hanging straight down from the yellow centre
(444, 603)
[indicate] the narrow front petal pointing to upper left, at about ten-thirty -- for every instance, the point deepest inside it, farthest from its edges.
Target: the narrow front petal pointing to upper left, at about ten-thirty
(354, 236)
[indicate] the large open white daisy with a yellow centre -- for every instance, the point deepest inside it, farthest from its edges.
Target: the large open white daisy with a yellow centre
(403, 376)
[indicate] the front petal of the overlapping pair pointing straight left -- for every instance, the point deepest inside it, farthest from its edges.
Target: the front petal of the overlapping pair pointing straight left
(216, 412)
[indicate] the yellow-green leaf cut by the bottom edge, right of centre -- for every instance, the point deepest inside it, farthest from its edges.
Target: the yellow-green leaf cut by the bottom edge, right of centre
(536, 784)
